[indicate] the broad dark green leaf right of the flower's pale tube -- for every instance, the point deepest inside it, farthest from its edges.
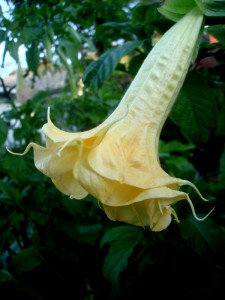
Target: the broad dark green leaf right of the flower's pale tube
(195, 110)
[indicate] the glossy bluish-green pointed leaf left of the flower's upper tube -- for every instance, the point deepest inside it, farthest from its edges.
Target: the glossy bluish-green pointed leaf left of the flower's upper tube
(100, 70)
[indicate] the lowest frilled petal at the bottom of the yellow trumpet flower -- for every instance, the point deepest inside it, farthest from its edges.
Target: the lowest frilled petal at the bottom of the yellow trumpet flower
(150, 208)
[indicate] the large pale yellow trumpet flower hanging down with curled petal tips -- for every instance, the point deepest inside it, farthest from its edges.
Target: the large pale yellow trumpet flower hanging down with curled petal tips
(117, 162)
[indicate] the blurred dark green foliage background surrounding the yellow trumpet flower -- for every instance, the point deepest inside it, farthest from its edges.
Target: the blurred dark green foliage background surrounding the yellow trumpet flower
(79, 57)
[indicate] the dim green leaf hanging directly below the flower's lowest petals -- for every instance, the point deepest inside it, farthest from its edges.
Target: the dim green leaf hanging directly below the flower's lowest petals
(122, 241)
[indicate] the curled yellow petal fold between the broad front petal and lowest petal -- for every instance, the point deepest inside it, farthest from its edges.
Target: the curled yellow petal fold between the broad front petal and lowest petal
(113, 193)
